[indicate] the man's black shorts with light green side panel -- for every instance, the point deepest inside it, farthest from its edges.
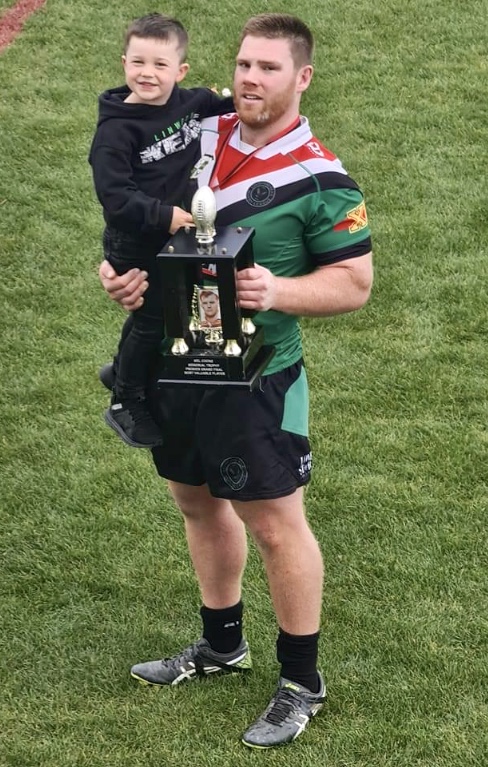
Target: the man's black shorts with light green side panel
(246, 445)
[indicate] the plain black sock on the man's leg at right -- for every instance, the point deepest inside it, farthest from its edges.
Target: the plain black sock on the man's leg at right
(298, 658)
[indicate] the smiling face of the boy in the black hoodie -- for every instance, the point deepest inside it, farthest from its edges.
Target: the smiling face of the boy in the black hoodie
(152, 67)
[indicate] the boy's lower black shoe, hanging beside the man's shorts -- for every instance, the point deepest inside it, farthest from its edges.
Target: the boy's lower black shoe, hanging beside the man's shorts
(132, 421)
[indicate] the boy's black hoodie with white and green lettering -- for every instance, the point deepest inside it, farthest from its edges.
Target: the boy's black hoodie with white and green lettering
(142, 155)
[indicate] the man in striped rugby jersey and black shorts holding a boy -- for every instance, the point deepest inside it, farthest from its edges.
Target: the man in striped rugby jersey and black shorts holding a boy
(313, 257)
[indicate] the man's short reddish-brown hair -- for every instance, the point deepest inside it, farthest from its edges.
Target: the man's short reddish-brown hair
(285, 27)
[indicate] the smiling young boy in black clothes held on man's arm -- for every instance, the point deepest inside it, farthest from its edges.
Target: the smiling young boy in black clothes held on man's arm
(146, 143)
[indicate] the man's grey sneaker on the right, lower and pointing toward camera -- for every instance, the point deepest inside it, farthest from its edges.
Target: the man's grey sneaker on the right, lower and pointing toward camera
(287, 715)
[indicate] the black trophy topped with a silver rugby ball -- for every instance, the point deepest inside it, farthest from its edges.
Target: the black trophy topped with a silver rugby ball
(211, 341)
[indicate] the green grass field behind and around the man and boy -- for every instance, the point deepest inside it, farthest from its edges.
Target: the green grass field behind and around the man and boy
(94, 573)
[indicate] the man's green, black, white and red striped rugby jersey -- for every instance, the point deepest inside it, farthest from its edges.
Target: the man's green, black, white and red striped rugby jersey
(305, 209)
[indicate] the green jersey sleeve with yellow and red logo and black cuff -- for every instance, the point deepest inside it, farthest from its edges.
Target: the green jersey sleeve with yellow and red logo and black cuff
(339, 228)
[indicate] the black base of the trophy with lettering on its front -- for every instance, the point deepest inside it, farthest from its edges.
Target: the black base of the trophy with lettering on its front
(213, 369)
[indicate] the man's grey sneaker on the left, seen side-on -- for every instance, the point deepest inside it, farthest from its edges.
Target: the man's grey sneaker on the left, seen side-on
(197, 660)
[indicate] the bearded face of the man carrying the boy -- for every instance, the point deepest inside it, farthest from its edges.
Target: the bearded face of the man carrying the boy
(267, 85)
